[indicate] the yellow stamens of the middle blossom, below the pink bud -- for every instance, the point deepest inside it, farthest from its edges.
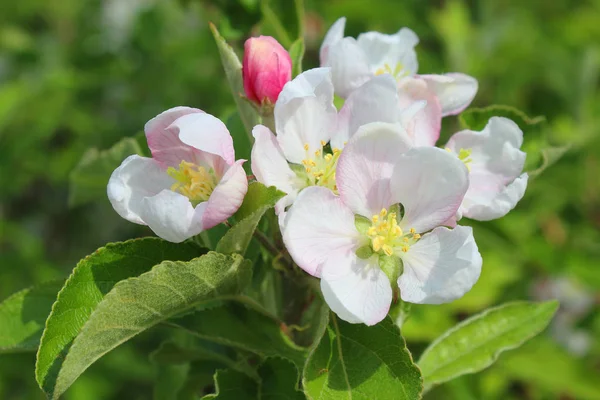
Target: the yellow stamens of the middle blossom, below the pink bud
(319, 167)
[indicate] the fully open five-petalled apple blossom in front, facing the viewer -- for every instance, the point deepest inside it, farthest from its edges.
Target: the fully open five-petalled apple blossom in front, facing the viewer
(383, 233)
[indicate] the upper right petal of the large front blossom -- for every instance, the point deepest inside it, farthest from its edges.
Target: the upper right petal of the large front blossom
(430, 183)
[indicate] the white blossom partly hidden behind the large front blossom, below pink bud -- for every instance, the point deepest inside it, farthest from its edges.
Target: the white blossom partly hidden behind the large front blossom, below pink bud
(307, 122)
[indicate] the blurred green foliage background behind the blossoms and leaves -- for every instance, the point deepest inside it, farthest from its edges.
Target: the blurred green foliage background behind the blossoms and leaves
(76, 75)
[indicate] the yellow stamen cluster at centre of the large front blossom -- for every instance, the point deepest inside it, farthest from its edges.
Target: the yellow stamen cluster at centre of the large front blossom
(386, 235)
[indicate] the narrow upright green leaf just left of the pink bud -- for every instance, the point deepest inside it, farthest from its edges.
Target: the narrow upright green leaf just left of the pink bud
(233, 72)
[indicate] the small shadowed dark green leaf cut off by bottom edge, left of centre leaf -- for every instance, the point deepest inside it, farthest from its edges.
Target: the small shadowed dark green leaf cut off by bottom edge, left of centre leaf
(279, 380)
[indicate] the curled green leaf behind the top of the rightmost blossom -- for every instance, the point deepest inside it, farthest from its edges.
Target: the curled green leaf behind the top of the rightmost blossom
(540, 153)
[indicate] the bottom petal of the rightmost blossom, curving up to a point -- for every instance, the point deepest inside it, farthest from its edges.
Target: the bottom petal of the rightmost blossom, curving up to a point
(499, 205)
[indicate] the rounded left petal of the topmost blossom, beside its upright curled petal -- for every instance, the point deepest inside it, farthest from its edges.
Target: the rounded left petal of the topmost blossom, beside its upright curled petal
(349, 66)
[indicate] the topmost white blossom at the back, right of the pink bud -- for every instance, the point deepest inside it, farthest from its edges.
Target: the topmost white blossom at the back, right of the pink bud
(355, 61)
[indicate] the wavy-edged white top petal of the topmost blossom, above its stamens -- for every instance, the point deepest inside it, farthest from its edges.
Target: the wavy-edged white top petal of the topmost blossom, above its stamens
(384, 49)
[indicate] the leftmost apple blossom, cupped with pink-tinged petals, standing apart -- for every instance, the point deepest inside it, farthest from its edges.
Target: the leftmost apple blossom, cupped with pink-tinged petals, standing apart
(191, 183)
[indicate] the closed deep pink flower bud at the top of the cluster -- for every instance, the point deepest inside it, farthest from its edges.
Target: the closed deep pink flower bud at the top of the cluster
(267, 67)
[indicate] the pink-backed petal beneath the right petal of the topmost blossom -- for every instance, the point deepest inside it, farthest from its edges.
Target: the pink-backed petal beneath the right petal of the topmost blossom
(425, 124)
